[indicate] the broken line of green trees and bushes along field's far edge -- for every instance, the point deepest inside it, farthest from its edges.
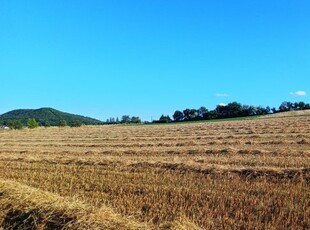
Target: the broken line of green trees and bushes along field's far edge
(231, 110)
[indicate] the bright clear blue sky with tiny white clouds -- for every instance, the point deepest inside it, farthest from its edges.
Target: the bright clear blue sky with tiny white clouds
(104, 58)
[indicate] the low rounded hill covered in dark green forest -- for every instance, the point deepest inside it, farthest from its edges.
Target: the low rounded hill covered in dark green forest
(46, 117)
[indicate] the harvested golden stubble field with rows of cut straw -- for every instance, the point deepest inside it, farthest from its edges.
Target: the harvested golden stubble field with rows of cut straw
(218, 175)
